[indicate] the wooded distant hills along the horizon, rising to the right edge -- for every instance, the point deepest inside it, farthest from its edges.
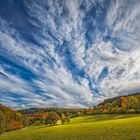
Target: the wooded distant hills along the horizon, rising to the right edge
(120, 104)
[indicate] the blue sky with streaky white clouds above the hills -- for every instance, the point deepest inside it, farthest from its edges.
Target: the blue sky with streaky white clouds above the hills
(68, 53)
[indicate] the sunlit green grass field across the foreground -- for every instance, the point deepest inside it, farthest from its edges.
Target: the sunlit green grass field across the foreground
(97, 127)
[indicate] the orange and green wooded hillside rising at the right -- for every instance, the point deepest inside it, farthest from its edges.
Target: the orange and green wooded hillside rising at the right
(122, 104)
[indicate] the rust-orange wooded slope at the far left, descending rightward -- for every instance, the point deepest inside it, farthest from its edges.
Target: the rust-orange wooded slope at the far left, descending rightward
(9, 119)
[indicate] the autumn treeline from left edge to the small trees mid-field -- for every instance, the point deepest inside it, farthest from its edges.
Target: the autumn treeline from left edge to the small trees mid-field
(12, 120)
